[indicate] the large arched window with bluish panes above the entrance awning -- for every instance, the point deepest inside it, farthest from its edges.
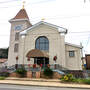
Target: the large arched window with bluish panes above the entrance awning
(42, 43)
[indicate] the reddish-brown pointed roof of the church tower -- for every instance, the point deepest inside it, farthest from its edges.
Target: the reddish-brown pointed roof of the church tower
(22, 14)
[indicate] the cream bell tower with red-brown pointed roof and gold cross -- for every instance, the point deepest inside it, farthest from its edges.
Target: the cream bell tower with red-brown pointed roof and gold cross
(19, 23)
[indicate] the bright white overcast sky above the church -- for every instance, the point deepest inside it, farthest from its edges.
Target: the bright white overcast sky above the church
(71, 14)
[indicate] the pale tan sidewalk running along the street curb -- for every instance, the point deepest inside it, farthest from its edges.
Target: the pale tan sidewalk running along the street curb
(42, 82)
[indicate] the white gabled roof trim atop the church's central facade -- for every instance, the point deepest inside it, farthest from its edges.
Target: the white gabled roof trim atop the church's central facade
(60, 29)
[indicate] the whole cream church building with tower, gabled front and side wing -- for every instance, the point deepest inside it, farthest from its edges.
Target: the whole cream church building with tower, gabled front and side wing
(41, 43)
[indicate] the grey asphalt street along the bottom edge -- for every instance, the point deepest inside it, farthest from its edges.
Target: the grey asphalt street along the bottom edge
(18, 87)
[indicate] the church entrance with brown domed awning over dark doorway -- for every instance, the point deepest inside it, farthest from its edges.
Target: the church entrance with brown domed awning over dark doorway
(41, 58)
